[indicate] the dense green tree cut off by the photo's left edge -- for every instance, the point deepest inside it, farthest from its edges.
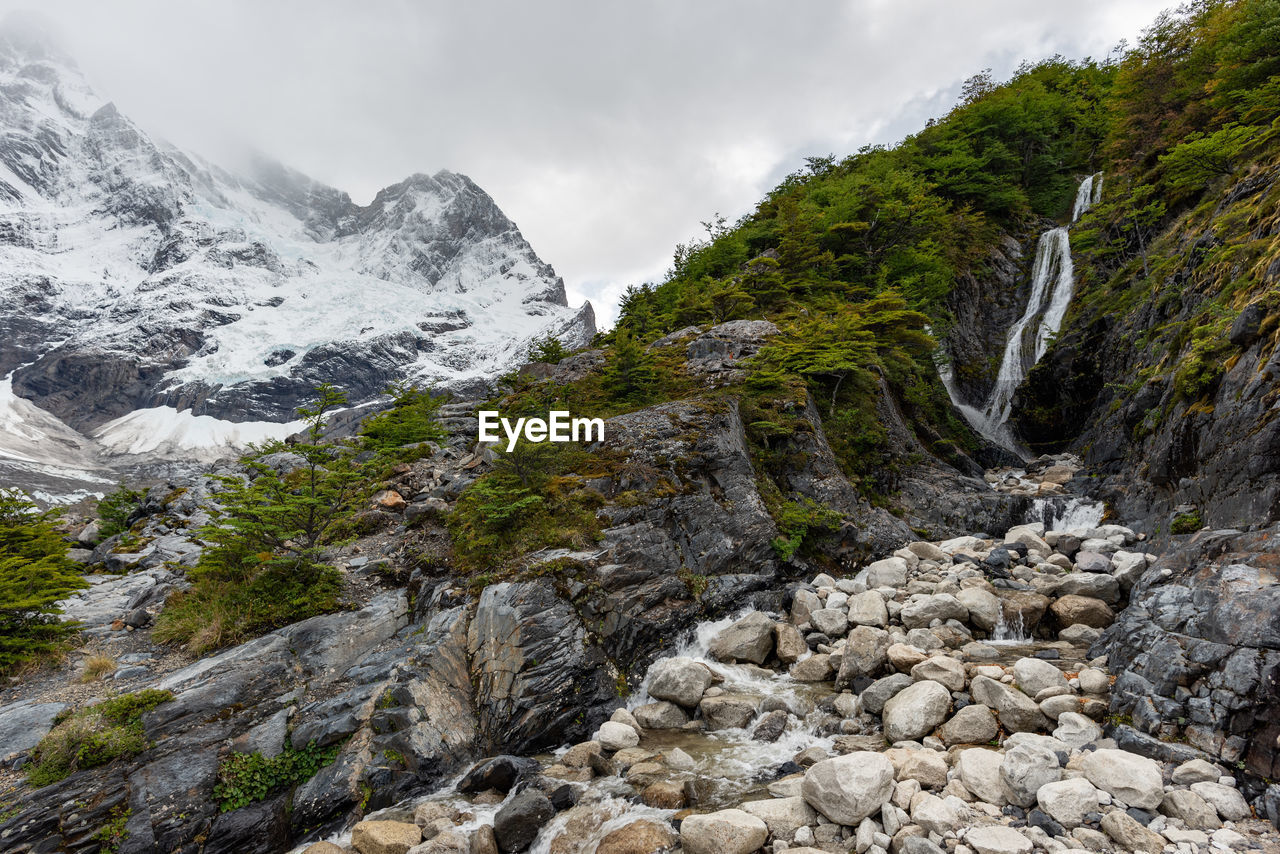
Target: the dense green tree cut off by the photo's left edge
(35, 574)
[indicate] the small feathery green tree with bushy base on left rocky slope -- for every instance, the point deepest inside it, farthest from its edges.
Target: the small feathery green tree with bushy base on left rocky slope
(263, 565)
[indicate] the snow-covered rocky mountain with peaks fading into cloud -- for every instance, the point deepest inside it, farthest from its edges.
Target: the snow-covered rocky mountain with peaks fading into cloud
(154, 304)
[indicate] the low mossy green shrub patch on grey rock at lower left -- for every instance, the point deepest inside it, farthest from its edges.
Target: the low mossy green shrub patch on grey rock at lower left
(94, 737)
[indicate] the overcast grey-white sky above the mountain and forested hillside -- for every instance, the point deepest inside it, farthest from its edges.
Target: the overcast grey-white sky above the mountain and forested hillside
(606, 130)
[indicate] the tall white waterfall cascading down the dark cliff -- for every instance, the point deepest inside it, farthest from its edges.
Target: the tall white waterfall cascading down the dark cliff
(1053, 286)
